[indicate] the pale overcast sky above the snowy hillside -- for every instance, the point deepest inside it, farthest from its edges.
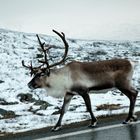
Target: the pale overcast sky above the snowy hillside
(88, 19)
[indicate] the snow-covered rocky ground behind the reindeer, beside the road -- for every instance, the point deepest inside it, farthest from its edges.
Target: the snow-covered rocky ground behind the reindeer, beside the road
(39, 111)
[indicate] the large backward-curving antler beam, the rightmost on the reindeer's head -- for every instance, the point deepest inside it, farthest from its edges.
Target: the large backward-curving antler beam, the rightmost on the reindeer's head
(62, 36)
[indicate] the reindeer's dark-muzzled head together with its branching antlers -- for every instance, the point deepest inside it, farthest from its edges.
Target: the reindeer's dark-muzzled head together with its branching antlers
(42, 72)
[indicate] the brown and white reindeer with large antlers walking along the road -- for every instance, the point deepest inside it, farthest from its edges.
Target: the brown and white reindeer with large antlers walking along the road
(79, 78)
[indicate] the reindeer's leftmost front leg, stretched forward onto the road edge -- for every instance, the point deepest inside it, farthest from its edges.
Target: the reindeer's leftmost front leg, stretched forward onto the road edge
(64, 109)
